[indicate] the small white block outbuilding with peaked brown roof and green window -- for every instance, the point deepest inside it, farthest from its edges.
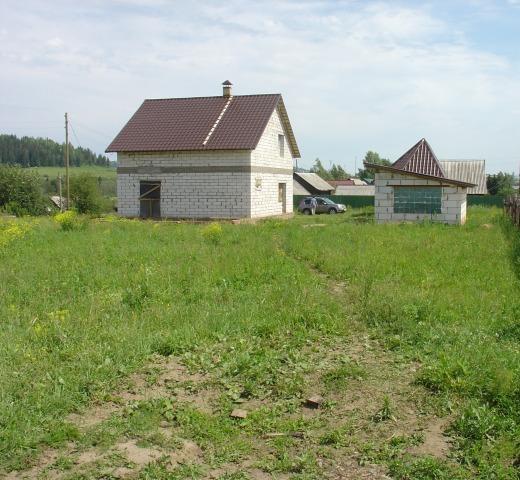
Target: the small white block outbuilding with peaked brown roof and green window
(416, 188)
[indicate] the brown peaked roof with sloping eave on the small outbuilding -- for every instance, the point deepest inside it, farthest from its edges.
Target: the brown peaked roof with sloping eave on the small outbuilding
(420, 161)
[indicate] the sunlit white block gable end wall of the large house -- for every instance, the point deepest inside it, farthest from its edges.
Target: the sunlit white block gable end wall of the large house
(264, 184)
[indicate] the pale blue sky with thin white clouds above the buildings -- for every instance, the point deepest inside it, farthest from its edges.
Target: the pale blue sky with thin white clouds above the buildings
(355, 75)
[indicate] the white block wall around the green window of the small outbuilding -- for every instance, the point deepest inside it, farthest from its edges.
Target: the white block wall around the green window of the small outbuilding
(453, 200)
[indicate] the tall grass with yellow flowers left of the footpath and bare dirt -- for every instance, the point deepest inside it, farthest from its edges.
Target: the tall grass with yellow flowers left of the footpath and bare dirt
(81, 308)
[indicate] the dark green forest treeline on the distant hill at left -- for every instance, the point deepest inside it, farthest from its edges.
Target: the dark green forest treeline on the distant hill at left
(43, 152)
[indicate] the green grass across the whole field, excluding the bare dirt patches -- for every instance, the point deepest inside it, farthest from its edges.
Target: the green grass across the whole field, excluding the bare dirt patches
(82, 309)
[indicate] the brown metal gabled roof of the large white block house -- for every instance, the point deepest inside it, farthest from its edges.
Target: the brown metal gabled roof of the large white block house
(202, 123)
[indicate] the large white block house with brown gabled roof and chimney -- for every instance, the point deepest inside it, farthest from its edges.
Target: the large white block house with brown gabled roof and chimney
(206, 157)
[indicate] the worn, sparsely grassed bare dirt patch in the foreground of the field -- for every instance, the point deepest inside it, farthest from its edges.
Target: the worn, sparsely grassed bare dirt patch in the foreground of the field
(168, 421)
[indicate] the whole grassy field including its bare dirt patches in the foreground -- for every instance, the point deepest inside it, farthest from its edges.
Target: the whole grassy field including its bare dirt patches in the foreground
(126, 345)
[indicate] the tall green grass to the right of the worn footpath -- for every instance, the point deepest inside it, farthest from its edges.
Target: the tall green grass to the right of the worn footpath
(447, 297)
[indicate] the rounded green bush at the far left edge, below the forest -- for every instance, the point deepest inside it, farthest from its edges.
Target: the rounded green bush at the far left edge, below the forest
(20, 192)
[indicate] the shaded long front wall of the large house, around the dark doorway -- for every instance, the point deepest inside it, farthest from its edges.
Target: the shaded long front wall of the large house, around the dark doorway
(188, 194)
